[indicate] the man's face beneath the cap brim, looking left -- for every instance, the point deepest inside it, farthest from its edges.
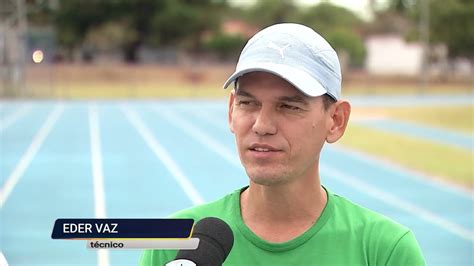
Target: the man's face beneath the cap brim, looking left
(278, 130)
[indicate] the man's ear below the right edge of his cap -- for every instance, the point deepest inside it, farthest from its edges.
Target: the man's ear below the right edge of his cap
(340, 113)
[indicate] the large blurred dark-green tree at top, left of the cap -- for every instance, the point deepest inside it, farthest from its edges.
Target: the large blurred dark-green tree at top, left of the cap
(132, 24)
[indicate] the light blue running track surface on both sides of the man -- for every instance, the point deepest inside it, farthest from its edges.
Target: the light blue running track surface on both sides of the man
(58, 182)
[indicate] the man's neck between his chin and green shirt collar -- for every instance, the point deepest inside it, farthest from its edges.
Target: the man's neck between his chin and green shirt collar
(291, 208)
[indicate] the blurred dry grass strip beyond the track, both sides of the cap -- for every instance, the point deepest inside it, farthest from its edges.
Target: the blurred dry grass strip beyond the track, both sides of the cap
(187, 81)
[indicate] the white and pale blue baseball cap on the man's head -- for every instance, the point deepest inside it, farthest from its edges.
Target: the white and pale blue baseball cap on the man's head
(297, 54)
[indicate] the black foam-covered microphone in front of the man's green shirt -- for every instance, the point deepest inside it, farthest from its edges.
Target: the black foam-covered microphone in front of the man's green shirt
(215, 242)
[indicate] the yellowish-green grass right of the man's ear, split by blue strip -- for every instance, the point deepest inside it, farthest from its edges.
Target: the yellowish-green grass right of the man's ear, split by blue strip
(439, 160)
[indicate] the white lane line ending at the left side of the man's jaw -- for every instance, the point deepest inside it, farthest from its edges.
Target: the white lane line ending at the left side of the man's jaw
(197, 134)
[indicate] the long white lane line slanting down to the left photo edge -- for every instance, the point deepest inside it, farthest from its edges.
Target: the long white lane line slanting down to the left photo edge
(29, 154)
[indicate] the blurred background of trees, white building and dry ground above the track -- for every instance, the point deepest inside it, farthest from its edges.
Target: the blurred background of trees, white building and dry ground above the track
(81, 49)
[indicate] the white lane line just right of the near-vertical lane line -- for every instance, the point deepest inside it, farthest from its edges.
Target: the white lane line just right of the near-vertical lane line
(163, 156)
